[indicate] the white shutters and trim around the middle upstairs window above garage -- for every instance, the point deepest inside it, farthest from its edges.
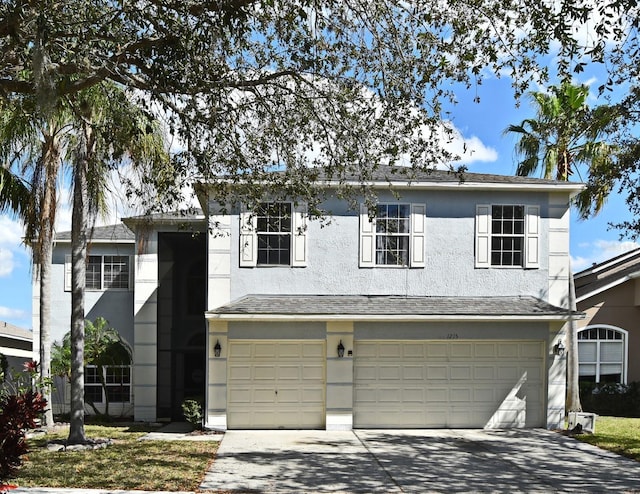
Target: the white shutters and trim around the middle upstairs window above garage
(417, 236)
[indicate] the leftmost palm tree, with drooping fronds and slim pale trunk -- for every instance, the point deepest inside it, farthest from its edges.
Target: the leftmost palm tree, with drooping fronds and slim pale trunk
(34, 147)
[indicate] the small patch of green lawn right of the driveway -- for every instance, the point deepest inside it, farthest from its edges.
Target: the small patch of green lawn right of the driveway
(620, 435)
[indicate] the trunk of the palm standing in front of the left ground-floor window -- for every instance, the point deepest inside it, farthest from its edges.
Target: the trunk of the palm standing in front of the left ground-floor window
(78, 281)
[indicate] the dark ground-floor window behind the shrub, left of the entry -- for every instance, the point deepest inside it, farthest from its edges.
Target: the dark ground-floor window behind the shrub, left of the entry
(117, 384)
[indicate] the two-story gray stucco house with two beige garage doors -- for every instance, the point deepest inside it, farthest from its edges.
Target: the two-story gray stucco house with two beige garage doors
(441, 307)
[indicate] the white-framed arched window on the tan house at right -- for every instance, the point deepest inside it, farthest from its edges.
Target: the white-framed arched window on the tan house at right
(602, 354)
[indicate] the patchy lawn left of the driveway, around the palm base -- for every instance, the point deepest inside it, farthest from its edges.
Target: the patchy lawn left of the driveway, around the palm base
(126, 464)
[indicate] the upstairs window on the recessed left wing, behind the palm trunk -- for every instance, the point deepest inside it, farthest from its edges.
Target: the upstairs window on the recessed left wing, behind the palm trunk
(103, 273)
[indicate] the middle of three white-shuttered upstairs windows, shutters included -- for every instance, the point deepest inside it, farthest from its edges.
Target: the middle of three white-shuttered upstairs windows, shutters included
(394, 237)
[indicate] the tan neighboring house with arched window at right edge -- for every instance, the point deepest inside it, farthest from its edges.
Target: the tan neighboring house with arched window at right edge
(609, 337)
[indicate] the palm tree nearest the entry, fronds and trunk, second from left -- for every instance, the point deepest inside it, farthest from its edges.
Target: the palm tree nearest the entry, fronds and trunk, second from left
(109, 128)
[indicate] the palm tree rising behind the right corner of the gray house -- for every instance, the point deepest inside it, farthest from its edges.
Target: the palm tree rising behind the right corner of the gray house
(566, 138)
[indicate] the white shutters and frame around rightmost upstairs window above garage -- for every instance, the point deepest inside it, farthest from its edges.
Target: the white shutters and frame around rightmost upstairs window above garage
(531, 254)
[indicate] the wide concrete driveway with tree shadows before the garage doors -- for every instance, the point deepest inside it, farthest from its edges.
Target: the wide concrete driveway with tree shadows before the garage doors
(416, 461)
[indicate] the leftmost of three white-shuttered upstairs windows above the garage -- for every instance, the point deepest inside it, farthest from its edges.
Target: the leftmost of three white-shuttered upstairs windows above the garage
(275, 234)
